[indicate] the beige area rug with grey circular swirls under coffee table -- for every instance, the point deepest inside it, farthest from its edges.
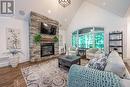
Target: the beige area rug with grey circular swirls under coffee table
(47, 74)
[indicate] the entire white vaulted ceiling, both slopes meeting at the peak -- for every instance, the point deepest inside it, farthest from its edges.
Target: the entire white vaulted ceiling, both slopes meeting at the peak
(52, 9)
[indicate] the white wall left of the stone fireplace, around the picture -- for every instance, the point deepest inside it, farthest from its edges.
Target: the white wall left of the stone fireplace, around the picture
(7, 22)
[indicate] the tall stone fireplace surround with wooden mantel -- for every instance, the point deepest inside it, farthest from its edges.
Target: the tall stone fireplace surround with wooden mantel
(34, 28)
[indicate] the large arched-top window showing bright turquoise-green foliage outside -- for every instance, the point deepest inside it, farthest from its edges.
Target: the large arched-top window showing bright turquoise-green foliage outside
(92, 37)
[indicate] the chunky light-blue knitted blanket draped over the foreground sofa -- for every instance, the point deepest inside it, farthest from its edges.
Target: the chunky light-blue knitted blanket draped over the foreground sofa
(80, 76)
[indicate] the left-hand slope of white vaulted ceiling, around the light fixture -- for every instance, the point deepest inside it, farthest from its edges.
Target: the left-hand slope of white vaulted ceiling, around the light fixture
(49, 8)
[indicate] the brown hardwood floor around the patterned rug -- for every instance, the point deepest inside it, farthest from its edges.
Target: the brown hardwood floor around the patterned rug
(12, 77)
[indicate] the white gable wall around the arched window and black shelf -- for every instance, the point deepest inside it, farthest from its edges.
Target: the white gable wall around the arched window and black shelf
(90, 15)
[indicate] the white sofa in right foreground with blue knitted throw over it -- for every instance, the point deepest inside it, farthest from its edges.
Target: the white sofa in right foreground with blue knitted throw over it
(115, 65)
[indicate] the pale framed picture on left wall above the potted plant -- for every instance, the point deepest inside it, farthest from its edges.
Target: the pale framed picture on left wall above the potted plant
(13, 38)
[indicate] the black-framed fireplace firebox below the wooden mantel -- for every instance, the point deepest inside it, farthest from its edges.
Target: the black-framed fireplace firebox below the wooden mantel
(47, 49)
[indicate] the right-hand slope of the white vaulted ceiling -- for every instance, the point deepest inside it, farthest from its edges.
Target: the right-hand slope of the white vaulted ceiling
(118, 7)
